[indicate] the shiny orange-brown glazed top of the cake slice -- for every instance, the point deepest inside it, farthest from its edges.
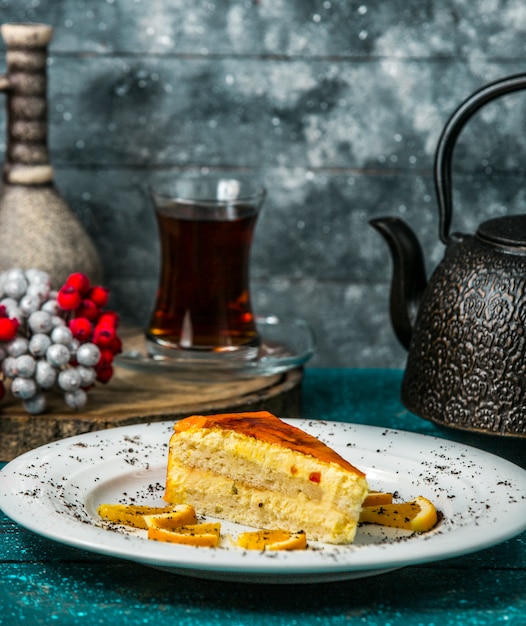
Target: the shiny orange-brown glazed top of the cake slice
(267, 427)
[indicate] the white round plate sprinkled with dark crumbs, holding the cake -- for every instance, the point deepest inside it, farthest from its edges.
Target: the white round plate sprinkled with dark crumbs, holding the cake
(54, 491)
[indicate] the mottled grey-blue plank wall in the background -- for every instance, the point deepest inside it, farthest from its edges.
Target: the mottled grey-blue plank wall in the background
(335, 105)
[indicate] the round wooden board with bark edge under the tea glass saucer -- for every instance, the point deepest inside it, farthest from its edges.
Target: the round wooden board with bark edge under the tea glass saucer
(131, 398)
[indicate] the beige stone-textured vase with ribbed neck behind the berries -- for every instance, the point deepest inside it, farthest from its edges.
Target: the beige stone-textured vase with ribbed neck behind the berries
(37, 228)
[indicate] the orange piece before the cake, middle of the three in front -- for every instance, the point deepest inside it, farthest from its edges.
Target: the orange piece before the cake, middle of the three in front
(162, 528)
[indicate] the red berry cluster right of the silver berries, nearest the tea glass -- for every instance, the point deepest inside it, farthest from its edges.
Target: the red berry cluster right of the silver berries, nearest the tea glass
(89, 321)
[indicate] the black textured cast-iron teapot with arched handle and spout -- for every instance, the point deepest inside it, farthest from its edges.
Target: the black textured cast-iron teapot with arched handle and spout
(465, 328)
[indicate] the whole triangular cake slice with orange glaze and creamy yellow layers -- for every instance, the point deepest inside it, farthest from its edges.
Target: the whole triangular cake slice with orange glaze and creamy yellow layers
(254, 469)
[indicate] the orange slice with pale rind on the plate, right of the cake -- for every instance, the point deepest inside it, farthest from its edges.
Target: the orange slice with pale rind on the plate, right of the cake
(418, 515)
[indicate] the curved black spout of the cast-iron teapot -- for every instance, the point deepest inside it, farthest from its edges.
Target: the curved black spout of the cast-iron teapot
(409, 276)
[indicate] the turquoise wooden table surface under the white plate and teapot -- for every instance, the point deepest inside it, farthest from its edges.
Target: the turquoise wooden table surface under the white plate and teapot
(43, 582)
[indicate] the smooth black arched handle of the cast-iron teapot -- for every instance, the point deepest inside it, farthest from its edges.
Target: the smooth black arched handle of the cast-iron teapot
(446, 143)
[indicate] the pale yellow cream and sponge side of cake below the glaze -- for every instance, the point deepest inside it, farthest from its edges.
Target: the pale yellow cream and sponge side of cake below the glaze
(262, 485)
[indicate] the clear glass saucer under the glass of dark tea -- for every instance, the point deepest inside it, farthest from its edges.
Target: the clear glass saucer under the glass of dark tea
(284, 346)
